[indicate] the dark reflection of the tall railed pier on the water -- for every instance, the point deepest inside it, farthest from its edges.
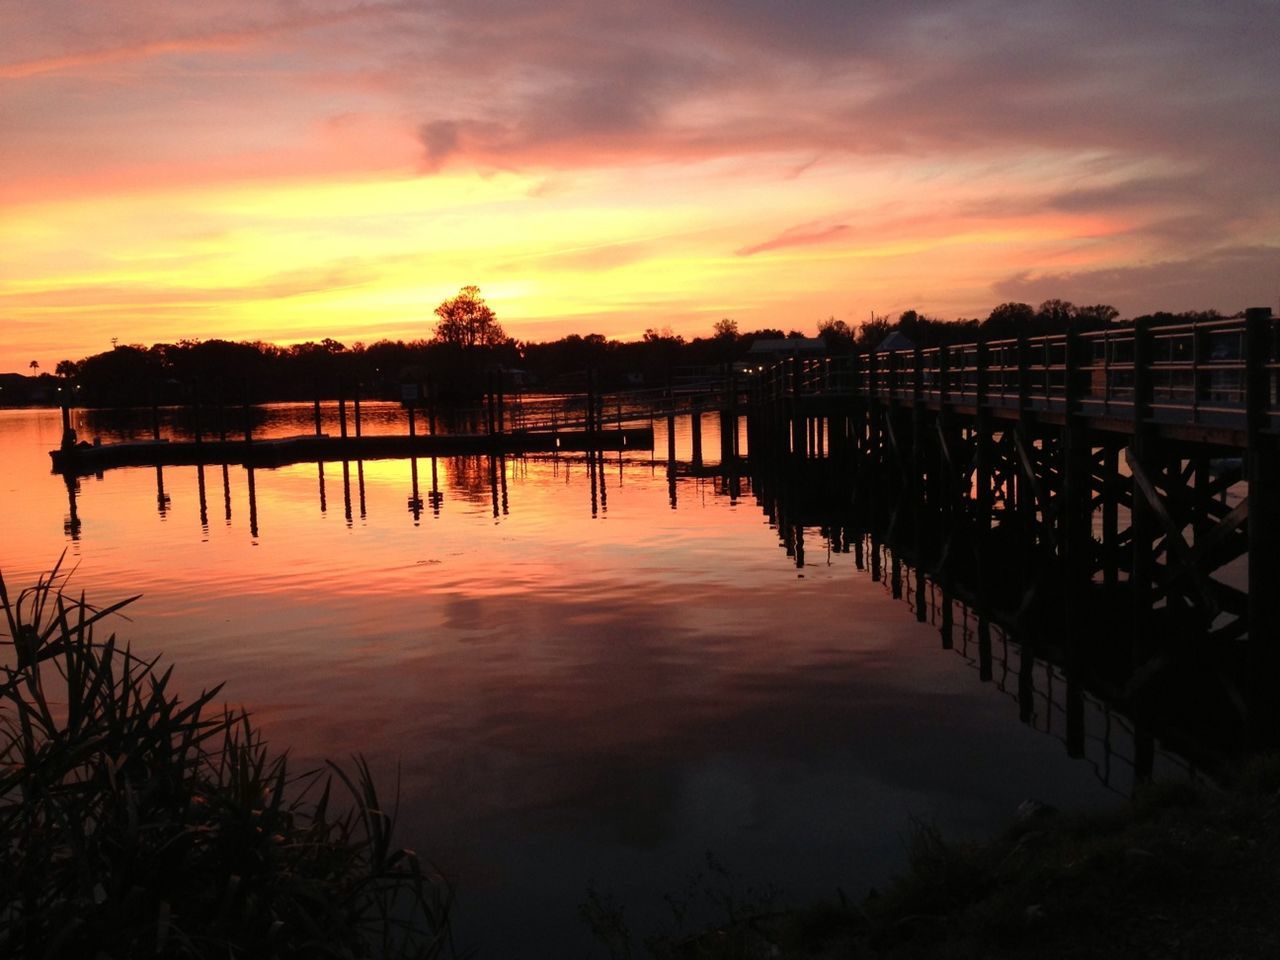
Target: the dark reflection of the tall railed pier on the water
(1130, 724)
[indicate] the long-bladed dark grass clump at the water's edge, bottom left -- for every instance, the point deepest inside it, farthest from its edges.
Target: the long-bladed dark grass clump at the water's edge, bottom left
(136, 825)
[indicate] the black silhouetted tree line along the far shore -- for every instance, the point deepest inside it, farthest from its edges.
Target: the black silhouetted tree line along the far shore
(469, 349)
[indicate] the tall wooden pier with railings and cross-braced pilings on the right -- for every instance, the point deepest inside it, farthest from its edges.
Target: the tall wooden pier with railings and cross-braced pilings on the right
(1133, 470)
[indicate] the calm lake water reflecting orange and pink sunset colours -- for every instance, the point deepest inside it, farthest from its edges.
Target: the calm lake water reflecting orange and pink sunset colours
(593, 688)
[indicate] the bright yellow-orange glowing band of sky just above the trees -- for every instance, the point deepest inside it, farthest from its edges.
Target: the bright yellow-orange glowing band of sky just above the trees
(367, 259)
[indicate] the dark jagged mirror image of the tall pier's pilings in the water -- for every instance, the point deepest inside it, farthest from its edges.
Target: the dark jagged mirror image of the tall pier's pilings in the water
(1196, 711)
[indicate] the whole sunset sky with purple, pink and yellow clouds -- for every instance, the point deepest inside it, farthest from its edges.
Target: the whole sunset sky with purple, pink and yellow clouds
(328, 168)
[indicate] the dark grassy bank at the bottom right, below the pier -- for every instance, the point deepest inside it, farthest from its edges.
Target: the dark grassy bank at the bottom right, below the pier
(1185, 871)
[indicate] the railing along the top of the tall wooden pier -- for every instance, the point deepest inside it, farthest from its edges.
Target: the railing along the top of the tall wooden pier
(1217, 373)
